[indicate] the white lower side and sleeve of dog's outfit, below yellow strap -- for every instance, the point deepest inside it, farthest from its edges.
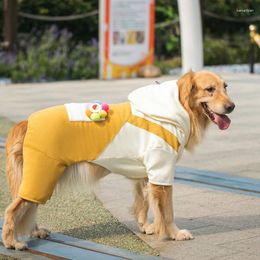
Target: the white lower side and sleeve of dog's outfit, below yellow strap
(126, 155)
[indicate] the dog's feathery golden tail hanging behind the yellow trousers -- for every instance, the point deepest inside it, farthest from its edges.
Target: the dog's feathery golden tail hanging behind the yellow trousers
(14, 157)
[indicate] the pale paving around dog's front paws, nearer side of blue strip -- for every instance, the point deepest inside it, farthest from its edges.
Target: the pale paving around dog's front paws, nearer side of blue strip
(226, 226)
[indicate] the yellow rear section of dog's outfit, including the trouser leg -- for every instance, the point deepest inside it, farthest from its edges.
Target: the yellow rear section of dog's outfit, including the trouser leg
(52, 142)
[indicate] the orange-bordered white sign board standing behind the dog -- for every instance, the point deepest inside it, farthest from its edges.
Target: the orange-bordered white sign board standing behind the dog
(126, 37)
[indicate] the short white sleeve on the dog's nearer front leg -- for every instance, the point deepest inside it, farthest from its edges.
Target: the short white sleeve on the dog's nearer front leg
(160, 166)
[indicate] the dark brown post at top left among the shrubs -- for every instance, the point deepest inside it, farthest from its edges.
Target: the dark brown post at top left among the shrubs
(10, 24)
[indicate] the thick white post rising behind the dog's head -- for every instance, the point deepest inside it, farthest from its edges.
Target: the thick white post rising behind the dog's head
(191, 35)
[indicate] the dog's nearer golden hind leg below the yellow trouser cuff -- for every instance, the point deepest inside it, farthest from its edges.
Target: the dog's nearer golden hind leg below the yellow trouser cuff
(14, 222)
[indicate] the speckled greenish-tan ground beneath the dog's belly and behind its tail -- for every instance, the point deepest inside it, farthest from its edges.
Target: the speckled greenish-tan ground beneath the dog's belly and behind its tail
(76, 214)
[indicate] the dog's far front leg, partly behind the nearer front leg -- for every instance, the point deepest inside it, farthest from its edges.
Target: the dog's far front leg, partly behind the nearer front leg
(141, 204)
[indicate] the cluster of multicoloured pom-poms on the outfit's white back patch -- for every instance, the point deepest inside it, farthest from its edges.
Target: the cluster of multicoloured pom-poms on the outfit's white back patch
(97, 111)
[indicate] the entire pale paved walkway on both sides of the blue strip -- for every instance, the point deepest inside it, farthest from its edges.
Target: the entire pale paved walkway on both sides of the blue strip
(226, 225)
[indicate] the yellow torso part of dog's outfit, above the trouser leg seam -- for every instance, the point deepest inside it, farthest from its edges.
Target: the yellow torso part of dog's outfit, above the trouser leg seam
(50, 132)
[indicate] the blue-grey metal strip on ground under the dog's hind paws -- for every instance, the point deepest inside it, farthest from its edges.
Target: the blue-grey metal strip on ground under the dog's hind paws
(59, 246)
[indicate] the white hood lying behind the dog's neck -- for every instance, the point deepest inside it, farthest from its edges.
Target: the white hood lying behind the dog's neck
(161, 102)
